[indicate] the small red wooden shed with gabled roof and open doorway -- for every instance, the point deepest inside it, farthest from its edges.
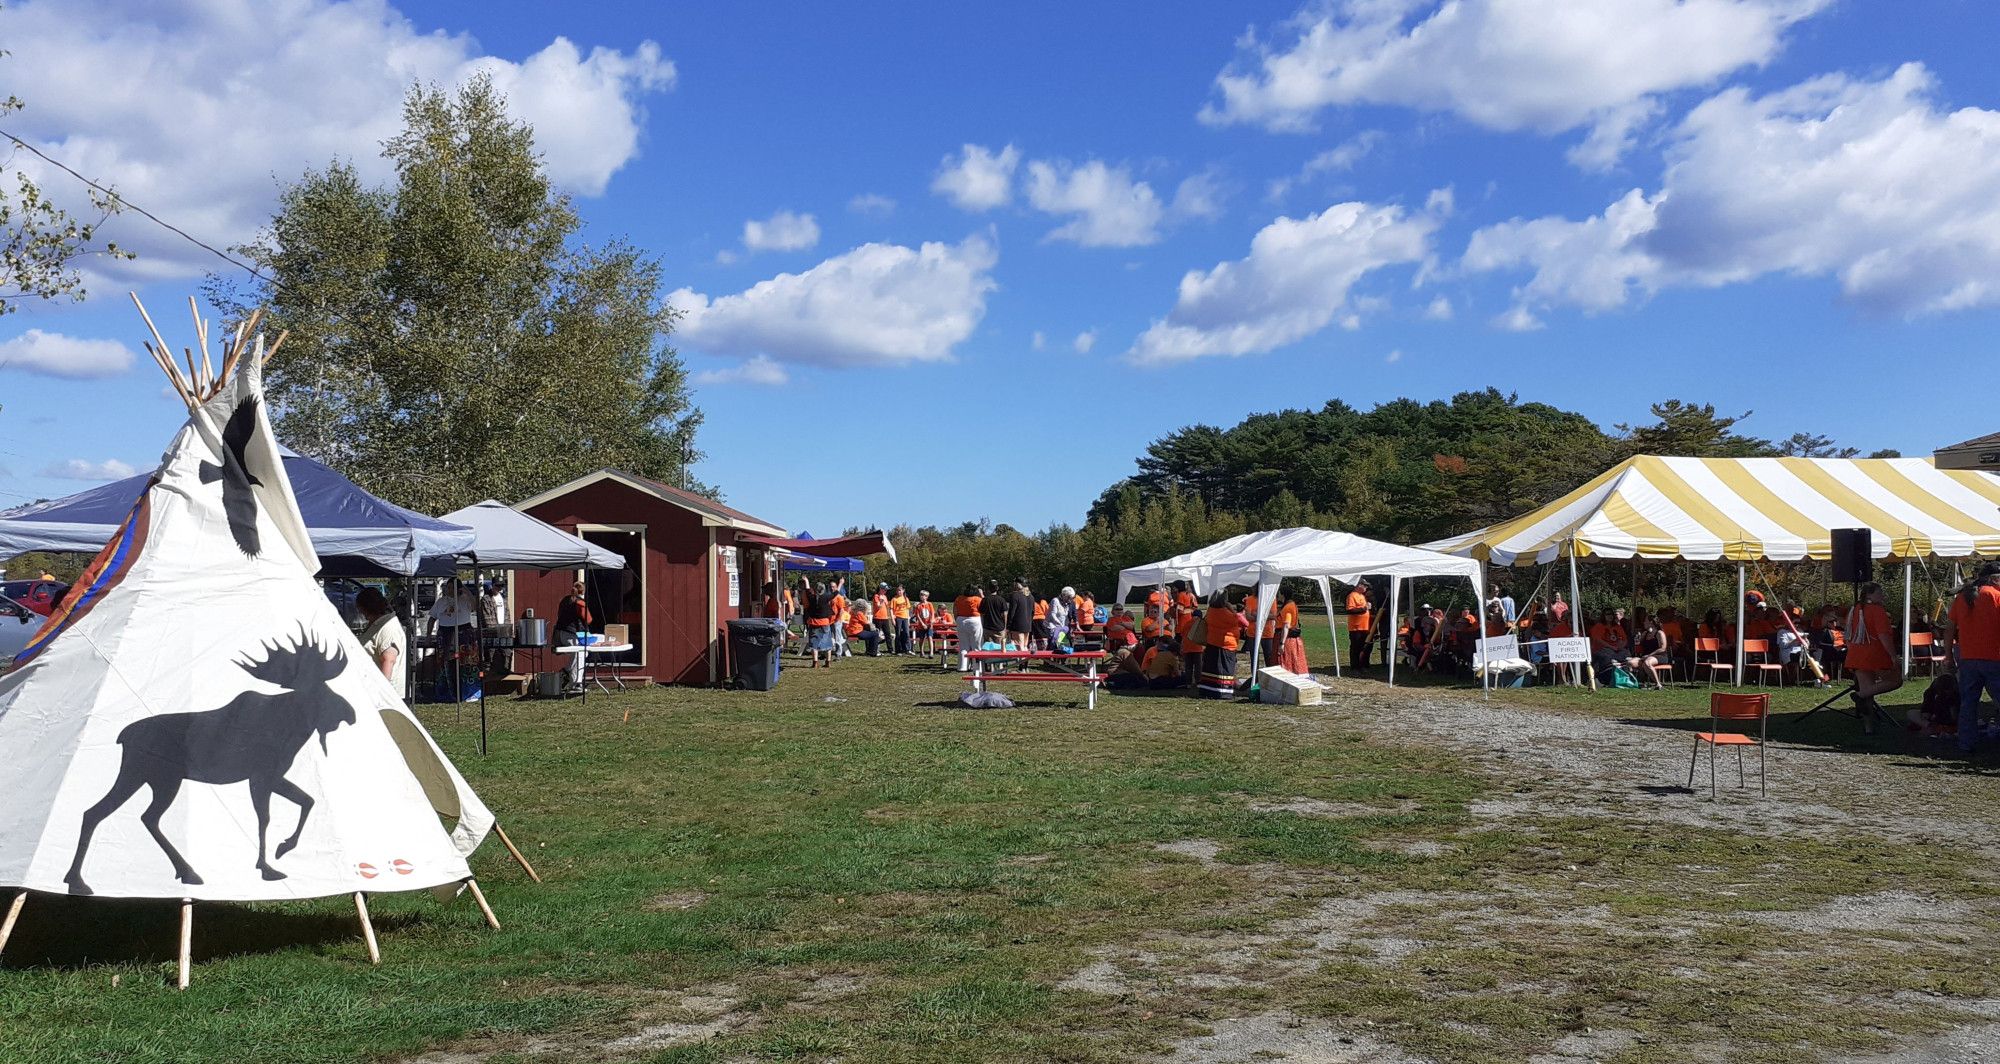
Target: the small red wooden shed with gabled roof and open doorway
(685, 571)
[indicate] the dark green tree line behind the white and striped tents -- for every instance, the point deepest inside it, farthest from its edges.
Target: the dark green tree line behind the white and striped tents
(1403, 473)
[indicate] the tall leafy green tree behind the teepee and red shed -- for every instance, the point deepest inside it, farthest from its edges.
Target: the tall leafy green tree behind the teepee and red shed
(451, 339)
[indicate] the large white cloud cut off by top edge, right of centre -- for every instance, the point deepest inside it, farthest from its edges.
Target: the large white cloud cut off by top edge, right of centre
(1503, 65)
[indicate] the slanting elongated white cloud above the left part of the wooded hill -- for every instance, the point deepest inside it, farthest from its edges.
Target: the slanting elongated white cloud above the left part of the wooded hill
(1293, 283)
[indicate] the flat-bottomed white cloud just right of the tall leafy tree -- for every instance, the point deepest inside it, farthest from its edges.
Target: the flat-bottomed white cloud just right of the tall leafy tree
(879, 305)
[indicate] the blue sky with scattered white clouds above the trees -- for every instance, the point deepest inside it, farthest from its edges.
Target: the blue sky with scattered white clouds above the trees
(1789, 207)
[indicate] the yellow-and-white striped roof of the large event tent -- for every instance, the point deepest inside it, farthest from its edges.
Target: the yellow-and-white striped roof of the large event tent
(1749, 511)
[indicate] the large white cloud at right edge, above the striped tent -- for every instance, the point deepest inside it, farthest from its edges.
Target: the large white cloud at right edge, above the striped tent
(1869, 183)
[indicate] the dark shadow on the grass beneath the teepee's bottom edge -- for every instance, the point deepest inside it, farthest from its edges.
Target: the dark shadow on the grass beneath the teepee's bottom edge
(77, 933)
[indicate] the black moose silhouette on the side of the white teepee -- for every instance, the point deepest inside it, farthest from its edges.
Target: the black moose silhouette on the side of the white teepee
(253, 739)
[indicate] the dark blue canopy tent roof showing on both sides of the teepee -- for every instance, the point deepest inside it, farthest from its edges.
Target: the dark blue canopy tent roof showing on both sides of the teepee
(353, 531)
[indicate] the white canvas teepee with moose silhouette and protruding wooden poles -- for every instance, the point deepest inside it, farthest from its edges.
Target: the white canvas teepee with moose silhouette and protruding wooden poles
(197, 721)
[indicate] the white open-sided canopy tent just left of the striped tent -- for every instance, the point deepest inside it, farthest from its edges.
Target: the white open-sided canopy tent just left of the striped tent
(1263, 559)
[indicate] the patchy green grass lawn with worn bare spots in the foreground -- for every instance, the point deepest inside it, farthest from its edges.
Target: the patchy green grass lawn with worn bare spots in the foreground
(845, 869)
